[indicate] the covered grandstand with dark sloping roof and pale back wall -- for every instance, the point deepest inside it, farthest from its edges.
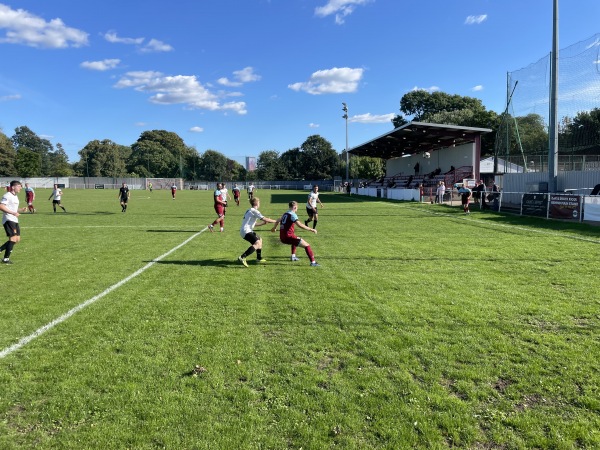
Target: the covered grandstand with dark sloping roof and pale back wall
(419, 149)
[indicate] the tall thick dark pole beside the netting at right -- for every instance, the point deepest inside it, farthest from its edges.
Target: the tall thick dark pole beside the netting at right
(553, 127)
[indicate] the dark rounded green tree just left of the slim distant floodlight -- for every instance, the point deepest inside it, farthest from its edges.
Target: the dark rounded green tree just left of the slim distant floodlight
(319, 159)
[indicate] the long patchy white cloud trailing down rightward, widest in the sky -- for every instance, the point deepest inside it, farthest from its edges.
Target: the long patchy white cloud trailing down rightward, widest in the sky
(178, 89)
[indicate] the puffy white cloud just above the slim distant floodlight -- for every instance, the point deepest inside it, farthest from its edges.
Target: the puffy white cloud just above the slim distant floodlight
(331, 81)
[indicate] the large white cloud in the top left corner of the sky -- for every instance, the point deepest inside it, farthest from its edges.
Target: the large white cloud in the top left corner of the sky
(25, 28)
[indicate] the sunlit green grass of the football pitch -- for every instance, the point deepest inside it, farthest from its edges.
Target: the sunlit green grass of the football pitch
(422, 328)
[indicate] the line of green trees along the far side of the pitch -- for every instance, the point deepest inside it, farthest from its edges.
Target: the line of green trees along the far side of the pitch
(161, 153)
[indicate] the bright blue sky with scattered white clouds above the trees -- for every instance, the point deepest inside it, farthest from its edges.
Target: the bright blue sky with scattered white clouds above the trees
(244, 76)
